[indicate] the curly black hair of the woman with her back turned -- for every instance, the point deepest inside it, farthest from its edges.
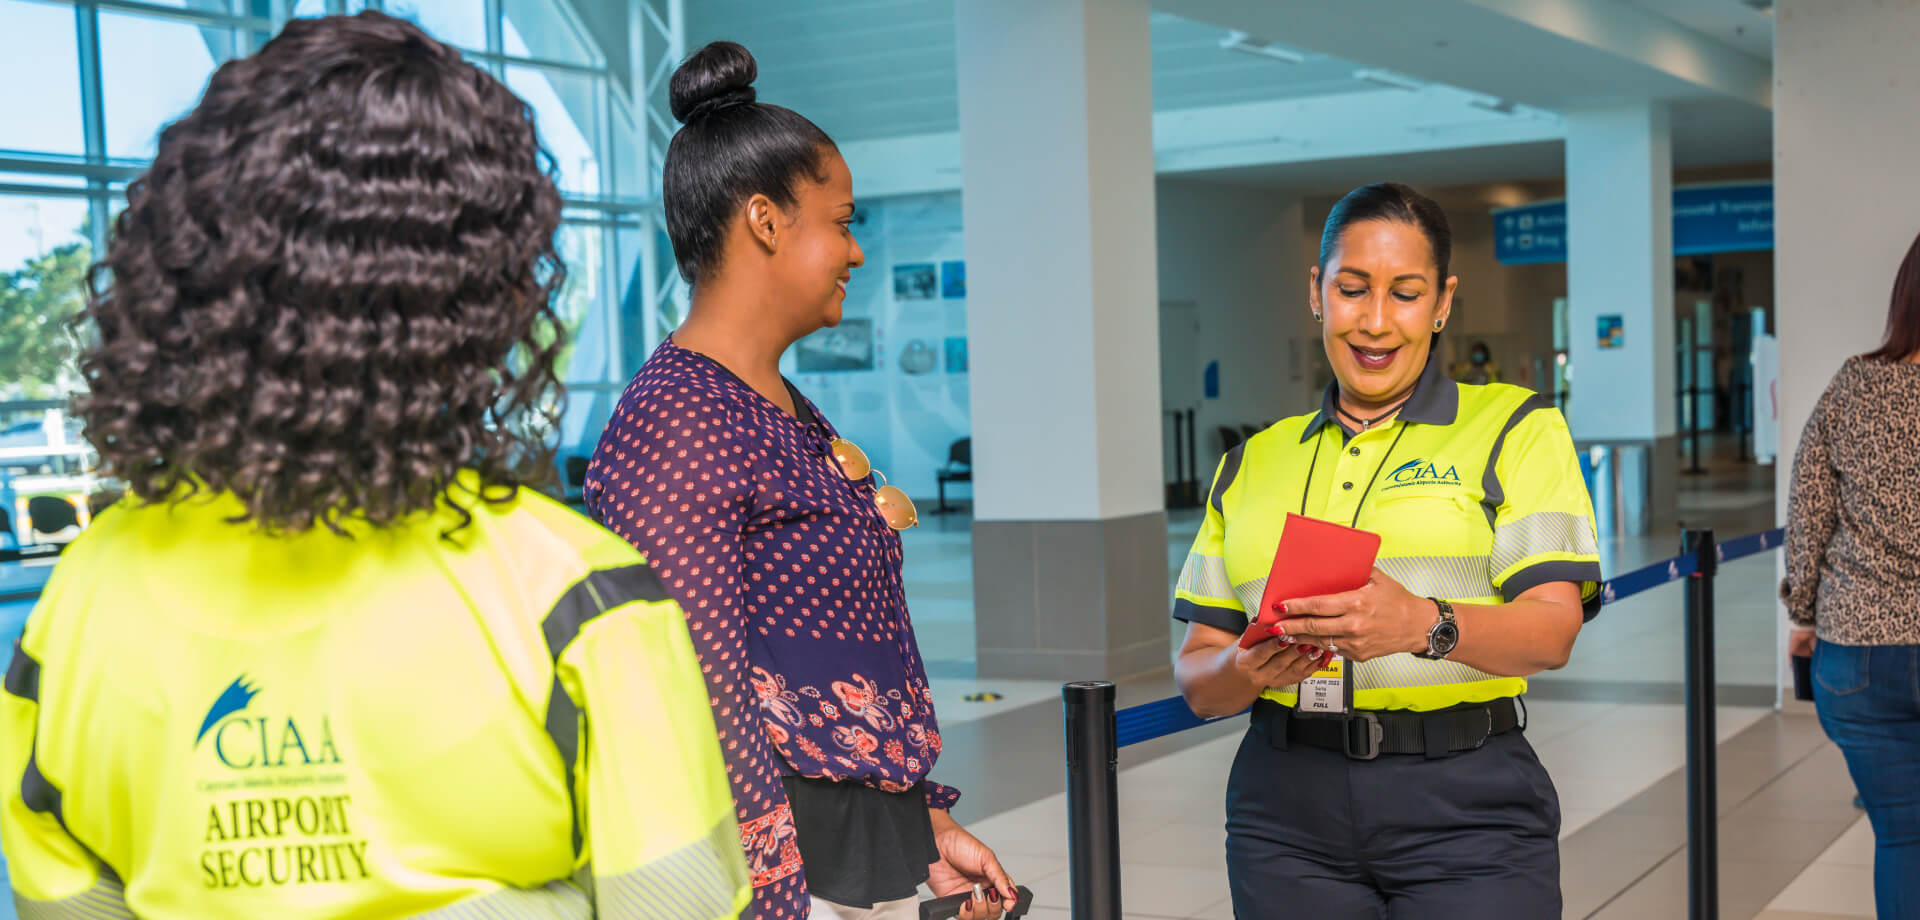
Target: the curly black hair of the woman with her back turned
(333, 291)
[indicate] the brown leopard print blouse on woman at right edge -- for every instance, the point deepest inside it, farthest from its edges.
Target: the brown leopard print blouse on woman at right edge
(1854, 516)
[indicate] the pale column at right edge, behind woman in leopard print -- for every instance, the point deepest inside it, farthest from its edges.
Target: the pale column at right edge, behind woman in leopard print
(1844, 191)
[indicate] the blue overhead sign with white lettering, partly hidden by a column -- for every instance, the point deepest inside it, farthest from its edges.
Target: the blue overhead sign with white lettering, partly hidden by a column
(1714, 218)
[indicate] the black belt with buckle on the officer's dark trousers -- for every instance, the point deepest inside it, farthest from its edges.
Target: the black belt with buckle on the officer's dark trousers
(1370, 735)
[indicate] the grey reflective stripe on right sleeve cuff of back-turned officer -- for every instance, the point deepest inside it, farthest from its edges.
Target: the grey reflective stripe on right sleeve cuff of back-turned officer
(696, 883)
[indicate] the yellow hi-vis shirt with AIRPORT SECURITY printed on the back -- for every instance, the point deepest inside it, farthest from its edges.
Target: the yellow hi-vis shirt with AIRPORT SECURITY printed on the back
(206, 723)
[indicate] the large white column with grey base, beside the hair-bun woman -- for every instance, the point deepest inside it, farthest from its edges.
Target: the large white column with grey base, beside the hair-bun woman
(1063, 316)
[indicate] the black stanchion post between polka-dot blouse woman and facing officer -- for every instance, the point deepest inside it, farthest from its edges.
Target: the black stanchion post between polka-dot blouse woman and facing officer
(1093, 800)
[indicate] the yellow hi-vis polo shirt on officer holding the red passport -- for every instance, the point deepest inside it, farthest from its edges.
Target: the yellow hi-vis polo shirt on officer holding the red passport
(1476, 493)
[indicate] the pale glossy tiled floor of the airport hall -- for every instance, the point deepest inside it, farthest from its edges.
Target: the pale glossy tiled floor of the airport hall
(1610, 727)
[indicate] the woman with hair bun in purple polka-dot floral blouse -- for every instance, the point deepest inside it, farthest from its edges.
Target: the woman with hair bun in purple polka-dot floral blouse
(773, 531)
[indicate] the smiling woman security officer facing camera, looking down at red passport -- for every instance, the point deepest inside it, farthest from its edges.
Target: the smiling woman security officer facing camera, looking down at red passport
(1414, 792)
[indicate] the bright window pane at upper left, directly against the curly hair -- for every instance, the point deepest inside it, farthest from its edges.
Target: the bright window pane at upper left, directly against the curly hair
(153, 74)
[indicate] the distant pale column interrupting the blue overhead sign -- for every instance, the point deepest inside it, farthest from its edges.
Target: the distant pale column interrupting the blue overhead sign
(1621, 262)
